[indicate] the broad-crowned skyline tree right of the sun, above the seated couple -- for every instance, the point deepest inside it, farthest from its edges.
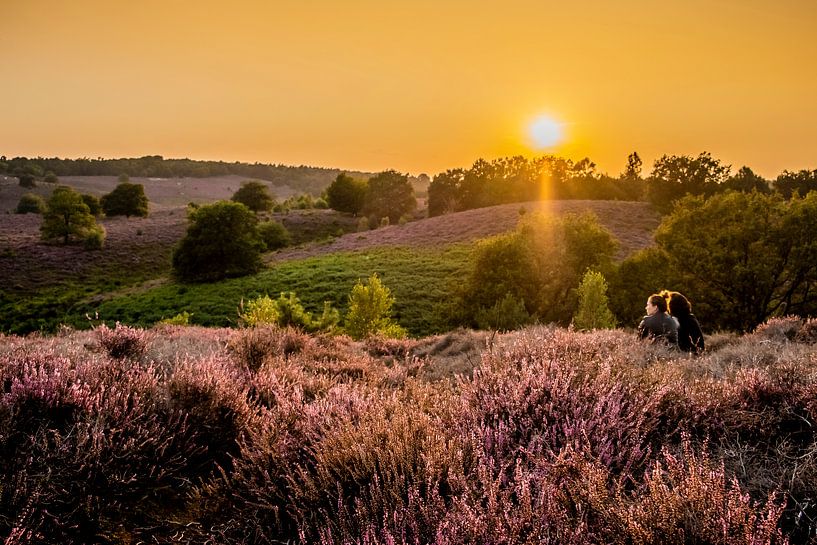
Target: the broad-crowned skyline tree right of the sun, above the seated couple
(674, 176)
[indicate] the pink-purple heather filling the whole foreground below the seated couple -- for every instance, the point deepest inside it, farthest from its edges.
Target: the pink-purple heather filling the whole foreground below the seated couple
(545, 435)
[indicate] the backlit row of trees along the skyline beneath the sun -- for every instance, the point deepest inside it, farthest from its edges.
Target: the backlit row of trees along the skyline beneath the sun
(519, 179)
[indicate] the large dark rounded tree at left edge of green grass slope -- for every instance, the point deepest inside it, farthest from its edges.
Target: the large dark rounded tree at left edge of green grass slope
(222, 241)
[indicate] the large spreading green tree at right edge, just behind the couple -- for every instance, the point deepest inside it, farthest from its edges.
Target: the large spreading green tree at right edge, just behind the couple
(748, 256)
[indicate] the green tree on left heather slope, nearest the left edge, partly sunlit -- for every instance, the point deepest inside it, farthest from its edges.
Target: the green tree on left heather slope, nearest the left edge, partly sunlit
(66, 216)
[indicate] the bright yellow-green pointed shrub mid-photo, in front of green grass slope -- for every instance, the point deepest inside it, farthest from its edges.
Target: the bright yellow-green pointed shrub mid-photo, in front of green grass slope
(370, 311)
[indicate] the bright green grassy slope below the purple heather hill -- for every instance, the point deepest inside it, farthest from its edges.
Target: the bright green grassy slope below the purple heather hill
(420, 279)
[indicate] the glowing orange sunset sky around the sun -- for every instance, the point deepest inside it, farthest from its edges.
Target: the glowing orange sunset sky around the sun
(419, 86)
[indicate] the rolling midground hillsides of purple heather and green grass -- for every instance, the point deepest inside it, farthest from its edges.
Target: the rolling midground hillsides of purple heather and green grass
(128, 280)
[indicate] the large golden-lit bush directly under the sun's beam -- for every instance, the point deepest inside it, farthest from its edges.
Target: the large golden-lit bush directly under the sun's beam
(541, 264)
